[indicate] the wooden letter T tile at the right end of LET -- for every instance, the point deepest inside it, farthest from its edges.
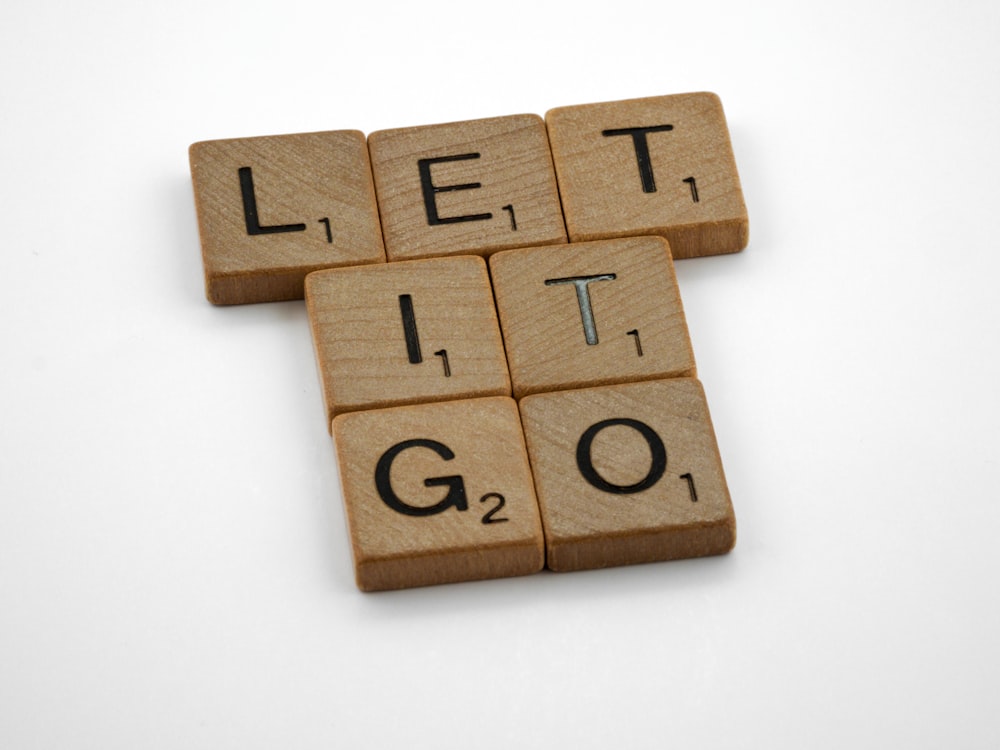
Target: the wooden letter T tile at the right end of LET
(660, 165)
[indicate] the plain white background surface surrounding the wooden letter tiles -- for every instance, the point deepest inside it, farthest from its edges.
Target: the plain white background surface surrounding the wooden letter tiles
(174, 568)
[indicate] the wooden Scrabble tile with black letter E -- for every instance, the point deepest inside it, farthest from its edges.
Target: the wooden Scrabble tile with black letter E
(466, 188)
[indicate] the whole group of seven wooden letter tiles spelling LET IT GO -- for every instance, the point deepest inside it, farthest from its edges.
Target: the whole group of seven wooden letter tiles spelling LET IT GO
(504, 359)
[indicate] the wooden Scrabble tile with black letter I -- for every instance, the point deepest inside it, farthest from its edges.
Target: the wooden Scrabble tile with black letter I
(403, 333)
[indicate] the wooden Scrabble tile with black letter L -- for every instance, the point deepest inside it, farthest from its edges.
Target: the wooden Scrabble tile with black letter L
(273, 208)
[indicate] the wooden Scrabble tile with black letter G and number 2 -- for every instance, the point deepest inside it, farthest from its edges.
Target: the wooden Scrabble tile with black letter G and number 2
(438, 493)
